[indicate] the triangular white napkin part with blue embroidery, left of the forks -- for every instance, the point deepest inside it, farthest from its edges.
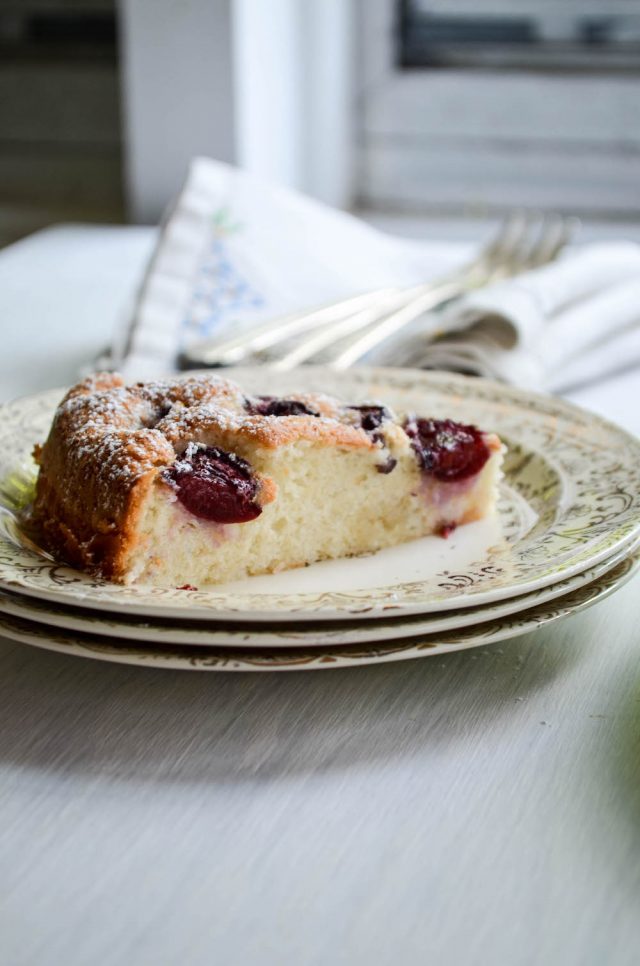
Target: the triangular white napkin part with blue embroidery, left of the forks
(234, 251)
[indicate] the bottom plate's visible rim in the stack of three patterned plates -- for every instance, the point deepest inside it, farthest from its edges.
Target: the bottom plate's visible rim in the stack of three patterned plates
(315, 659)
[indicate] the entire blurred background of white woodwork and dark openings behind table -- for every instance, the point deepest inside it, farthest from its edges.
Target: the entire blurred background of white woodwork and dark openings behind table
(401, 110)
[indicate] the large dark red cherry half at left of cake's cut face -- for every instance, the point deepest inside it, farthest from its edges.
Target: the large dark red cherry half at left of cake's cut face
(215, 485)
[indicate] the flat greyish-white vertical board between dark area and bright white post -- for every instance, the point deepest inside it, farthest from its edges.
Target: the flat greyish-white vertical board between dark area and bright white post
(177, 94)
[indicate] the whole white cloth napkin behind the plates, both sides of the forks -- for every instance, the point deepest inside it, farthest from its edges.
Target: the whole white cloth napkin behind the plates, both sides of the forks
(234, 251)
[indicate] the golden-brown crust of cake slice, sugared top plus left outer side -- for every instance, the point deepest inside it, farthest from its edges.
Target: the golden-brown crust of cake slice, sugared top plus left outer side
(108, 440)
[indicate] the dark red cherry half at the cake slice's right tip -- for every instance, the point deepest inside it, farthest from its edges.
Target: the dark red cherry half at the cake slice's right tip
(448, 450)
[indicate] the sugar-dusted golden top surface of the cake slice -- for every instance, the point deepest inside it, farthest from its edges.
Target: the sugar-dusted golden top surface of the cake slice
(133, 424)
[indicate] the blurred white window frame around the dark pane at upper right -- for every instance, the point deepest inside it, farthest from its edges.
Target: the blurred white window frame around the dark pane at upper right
(453, 137)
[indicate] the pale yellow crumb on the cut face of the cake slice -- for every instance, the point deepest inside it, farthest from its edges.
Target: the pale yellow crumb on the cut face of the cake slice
(330, 503)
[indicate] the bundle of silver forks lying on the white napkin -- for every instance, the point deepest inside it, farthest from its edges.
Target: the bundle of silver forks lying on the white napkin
(362, 322)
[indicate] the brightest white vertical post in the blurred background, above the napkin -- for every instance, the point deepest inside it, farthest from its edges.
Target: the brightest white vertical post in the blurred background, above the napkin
(293, 65)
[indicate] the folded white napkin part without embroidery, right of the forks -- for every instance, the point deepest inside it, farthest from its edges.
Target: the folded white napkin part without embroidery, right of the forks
(571, 322)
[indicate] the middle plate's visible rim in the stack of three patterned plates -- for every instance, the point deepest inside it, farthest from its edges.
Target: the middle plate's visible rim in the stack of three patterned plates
(310, 634)
